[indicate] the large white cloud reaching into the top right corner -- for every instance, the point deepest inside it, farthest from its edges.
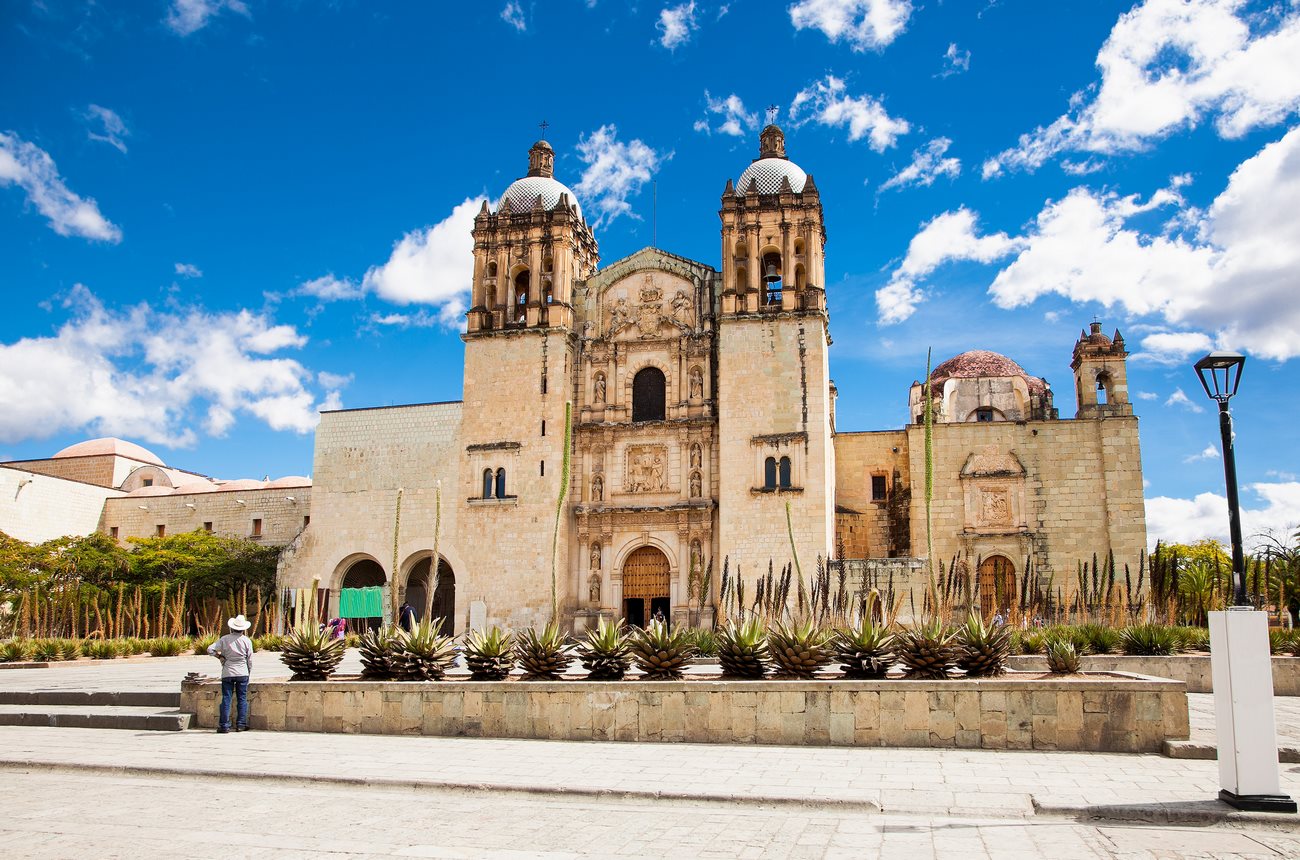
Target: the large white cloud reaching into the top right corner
(1165, 67)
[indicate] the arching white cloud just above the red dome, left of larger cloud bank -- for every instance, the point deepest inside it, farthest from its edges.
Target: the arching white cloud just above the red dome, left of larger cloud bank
(947, 237)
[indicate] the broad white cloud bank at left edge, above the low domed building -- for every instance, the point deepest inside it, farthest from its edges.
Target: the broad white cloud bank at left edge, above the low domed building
(150, 375)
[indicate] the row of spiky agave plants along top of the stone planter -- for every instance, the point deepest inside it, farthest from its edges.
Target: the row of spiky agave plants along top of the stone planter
(749, 649)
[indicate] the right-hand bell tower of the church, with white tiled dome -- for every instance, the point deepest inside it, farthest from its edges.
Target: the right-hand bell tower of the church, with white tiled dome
(774, 393)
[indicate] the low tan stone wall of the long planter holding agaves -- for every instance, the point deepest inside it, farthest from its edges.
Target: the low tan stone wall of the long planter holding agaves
(1099, 714)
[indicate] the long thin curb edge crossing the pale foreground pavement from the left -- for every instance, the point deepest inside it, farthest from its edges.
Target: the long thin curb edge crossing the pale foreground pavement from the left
(426, 785)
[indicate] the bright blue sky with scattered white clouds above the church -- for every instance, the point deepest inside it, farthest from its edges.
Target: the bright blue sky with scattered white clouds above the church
(219, 216)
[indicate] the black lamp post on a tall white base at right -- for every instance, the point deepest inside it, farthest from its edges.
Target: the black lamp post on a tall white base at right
(1242, 668)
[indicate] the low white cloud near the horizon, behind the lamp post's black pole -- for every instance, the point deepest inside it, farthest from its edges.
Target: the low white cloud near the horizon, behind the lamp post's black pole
(1206, 516)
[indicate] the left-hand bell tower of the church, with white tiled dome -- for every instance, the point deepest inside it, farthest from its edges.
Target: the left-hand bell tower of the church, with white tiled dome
(521, 346)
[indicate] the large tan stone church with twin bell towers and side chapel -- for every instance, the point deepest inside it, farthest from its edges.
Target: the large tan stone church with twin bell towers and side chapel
(703, 428)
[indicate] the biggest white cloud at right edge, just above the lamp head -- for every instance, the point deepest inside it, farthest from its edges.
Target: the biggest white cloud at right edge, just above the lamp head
(1087, 249)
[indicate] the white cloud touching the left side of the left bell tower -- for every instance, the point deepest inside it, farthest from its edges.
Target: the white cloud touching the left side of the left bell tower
(431, 266)
